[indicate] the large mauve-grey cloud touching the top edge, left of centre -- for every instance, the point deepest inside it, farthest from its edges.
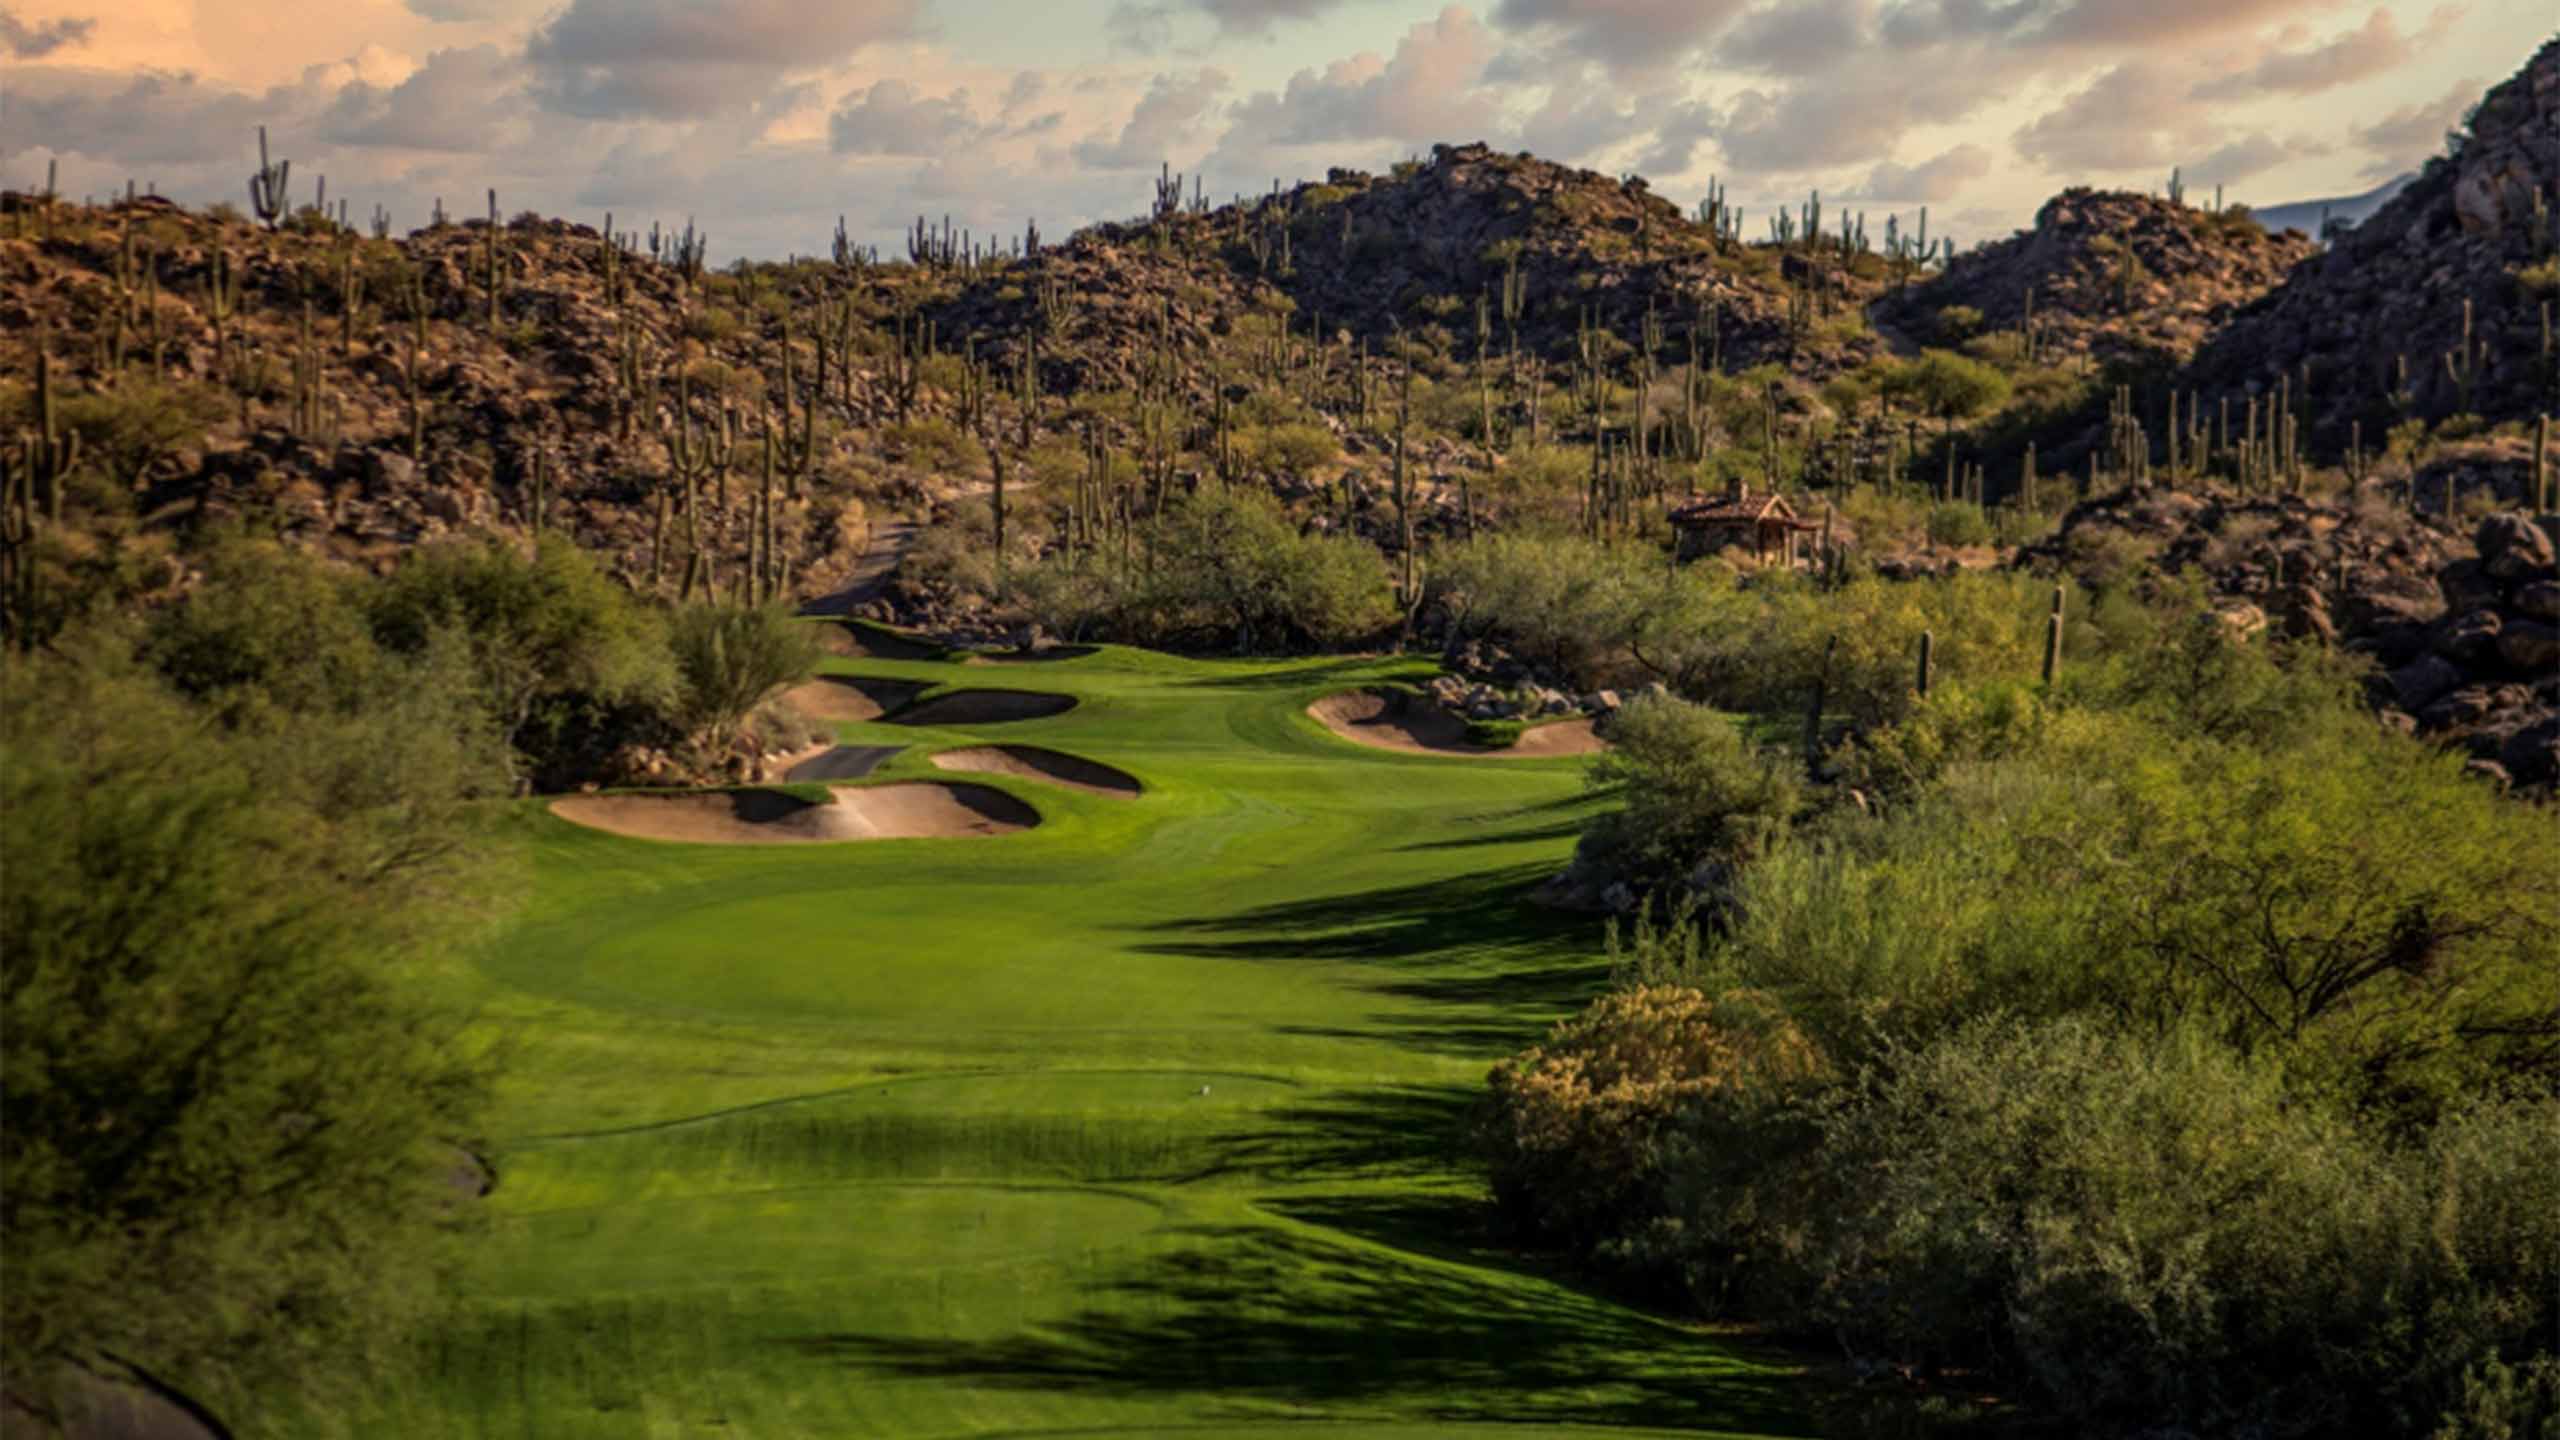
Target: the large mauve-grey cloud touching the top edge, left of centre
(687, 60)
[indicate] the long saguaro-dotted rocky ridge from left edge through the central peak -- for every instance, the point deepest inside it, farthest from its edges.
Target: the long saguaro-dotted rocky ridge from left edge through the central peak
(367, 391)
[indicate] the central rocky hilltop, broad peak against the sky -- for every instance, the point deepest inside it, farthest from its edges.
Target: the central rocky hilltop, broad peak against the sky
(1361, 260)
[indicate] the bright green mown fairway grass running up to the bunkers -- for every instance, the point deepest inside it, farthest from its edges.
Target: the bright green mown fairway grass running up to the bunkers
(1143, 1121)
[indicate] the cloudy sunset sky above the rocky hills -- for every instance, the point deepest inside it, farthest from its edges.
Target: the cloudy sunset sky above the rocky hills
(764, 122)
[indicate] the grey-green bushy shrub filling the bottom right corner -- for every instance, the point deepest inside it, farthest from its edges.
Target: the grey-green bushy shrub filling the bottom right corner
(2152, 1231)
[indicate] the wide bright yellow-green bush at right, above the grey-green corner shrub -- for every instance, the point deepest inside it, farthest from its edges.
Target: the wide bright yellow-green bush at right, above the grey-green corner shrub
(2349, 908)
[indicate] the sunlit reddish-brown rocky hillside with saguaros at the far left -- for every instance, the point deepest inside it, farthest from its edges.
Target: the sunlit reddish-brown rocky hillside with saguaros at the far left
(375, 393)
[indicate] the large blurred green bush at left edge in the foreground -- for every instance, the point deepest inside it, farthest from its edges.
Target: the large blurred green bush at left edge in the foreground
(229, 1116)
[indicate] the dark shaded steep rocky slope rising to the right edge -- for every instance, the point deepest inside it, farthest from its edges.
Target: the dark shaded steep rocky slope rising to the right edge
(2441, 304)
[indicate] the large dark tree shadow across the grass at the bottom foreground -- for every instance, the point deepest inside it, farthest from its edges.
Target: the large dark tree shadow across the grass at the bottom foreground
(1248, 1316)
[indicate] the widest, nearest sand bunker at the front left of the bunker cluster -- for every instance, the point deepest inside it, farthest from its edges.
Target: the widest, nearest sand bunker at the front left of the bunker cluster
(774, 819)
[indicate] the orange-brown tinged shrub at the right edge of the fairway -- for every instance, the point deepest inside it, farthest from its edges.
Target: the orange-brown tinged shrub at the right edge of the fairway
(1576, 1129)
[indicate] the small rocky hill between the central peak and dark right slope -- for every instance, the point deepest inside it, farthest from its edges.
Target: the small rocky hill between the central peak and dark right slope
(2106, 275)
